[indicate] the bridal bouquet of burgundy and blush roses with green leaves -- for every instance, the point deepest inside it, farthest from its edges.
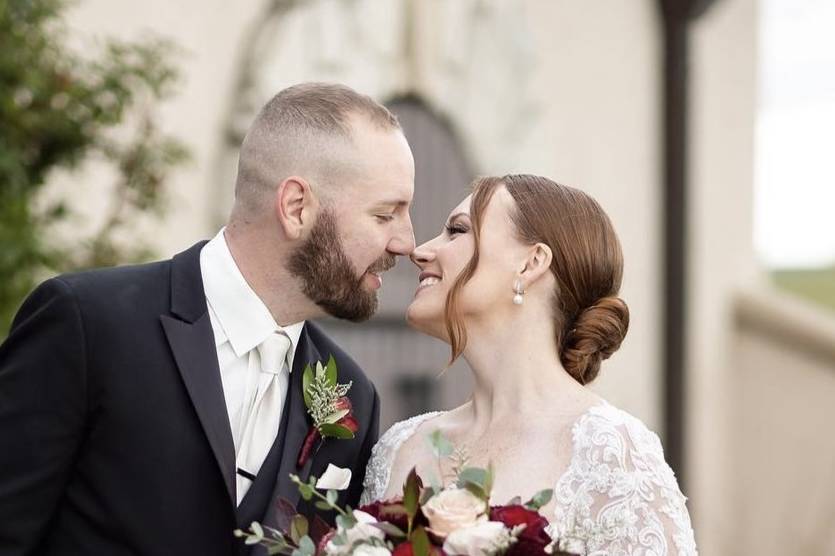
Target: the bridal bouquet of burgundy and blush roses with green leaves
(426, 520)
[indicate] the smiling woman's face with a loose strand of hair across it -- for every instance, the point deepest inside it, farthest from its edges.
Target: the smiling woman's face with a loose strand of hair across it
(489, 293)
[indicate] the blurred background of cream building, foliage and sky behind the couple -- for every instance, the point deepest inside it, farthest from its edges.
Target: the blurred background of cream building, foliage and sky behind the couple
(706, 129)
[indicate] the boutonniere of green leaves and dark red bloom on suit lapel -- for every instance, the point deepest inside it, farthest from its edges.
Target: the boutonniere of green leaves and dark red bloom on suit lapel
(328, 407)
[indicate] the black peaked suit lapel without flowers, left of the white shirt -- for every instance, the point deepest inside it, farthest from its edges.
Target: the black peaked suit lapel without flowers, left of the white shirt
(189, 333)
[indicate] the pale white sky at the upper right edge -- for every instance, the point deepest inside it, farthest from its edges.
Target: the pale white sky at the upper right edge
(794, 218)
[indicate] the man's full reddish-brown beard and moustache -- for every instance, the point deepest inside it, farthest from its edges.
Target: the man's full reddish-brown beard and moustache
(328, 278)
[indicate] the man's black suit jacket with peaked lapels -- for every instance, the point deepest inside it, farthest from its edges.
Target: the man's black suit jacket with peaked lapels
(114, 436)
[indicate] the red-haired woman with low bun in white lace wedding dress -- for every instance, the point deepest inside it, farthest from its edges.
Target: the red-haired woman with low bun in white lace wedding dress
(523, 284)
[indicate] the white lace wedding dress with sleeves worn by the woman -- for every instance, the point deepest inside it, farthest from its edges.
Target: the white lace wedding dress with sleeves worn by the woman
(618, 496)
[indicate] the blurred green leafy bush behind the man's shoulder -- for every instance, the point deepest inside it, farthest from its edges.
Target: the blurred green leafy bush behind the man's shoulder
(58, 110)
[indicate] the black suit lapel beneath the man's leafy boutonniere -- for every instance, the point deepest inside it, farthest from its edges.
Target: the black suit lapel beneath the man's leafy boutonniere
(298, 424)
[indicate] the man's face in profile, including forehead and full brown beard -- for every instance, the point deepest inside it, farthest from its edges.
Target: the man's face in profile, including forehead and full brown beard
(358, 236)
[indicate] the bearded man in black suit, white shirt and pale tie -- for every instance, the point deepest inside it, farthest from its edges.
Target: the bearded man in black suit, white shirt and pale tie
(153, 409)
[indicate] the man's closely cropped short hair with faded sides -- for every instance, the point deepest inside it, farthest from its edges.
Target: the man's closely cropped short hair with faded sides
(303, 130)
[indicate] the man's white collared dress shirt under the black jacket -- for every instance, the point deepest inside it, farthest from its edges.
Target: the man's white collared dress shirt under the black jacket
(240, 322)
